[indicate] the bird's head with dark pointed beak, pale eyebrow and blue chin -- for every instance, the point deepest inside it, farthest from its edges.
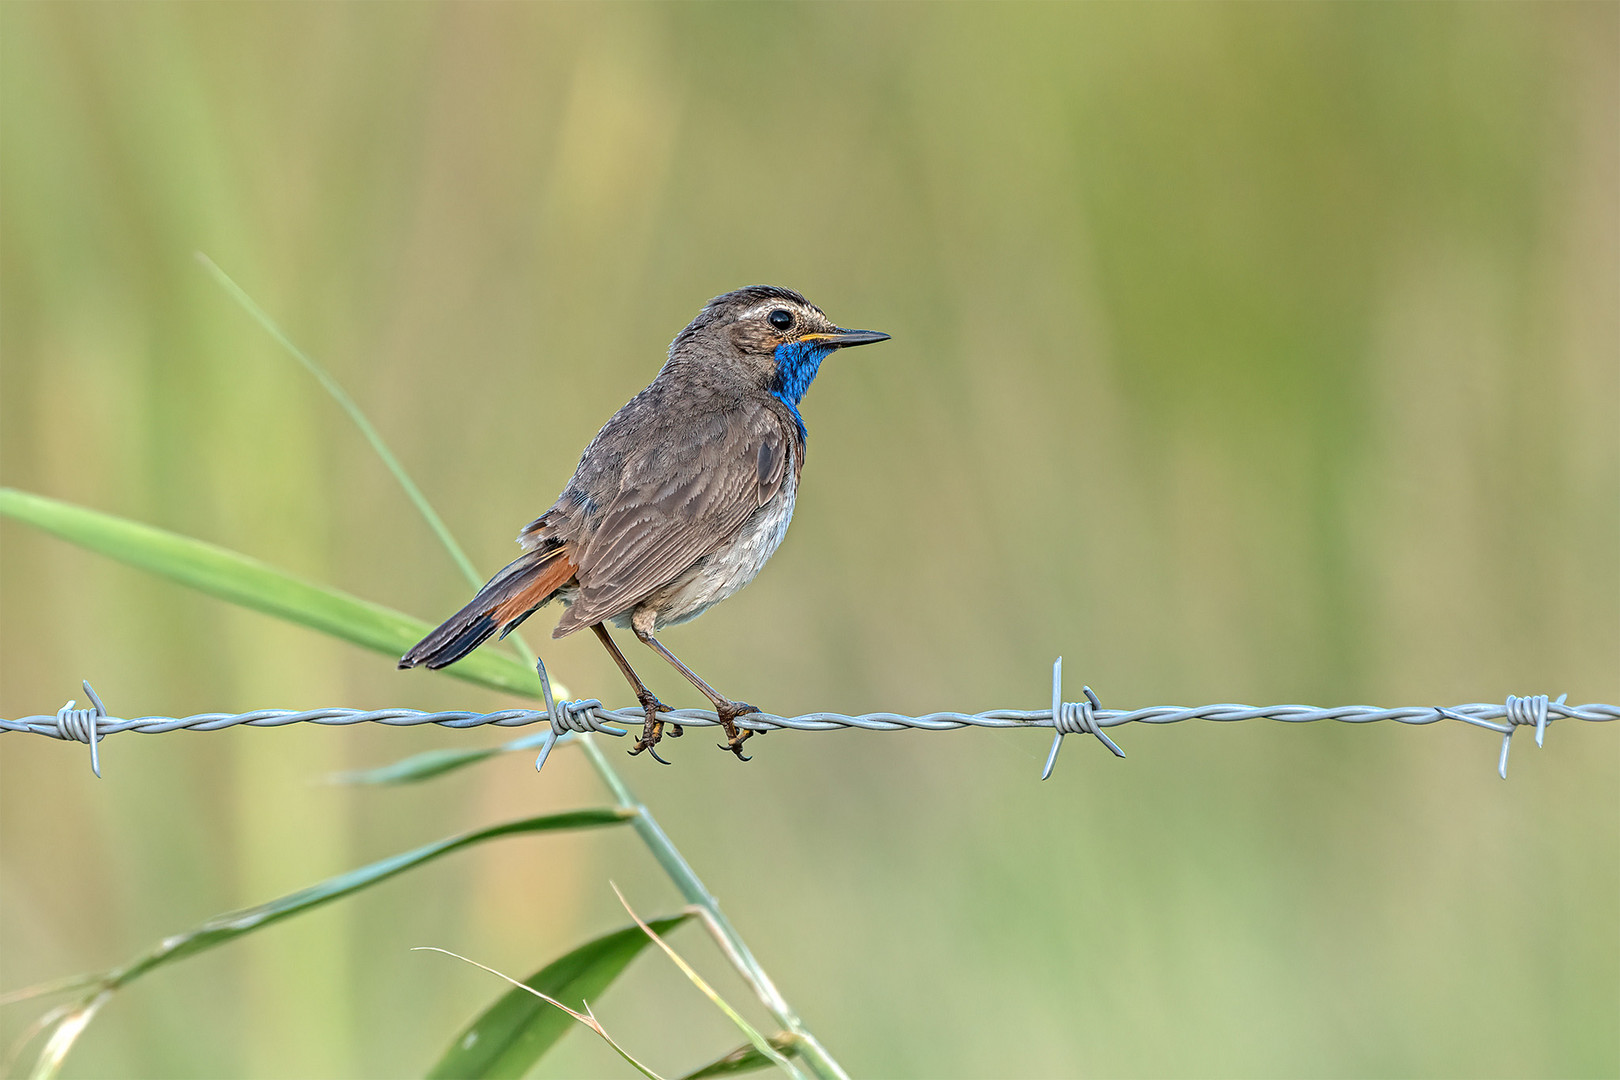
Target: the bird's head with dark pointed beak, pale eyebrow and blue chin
(774, 334)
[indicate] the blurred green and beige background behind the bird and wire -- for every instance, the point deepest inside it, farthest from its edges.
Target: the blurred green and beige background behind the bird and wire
(1242, 354)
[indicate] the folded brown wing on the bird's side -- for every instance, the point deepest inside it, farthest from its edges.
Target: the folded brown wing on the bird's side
(676, 504)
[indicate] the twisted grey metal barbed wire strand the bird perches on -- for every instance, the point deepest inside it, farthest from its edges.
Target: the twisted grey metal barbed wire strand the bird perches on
(1064, 718)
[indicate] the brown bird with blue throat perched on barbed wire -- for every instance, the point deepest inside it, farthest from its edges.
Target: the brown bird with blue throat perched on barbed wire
(676, 504)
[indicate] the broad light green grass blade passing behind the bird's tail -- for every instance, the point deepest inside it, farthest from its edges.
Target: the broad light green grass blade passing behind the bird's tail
(258, 585)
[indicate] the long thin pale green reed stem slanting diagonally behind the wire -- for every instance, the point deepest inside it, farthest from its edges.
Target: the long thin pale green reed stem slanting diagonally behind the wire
(668, 856)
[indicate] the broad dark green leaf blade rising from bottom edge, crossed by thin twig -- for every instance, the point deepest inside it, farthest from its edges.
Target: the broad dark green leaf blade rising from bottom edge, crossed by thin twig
(511, 1035)
